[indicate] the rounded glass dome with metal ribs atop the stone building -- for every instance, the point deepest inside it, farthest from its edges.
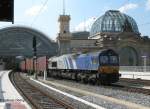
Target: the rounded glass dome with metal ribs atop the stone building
(114, 21)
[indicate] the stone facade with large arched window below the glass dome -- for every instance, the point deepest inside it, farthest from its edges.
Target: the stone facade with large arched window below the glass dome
(130, 47)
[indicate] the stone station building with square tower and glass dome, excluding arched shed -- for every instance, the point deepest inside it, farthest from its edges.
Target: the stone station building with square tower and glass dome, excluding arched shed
(113, 30)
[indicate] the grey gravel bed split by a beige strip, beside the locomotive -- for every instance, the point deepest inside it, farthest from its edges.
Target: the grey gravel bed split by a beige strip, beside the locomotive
(103, 96)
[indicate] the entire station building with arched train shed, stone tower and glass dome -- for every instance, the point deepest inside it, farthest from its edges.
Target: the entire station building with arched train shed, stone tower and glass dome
(113, 30)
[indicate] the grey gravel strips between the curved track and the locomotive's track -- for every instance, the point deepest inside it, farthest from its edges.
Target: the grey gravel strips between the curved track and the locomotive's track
(123, 95)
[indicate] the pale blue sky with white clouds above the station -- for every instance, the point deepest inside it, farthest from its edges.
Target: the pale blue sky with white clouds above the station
(43, 14)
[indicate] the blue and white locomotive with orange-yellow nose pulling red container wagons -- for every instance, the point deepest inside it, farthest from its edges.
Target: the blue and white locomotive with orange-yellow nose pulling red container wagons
(96, 67)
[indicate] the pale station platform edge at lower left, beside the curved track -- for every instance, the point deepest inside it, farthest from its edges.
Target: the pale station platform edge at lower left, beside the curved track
(9, 97)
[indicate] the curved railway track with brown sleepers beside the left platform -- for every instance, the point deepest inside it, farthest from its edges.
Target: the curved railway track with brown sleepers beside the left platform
(37, 98)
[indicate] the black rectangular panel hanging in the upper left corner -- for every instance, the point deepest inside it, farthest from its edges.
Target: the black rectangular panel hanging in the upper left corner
(7, 10)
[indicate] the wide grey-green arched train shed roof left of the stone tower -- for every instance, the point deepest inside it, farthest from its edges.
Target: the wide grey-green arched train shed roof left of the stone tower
(18, 41)
